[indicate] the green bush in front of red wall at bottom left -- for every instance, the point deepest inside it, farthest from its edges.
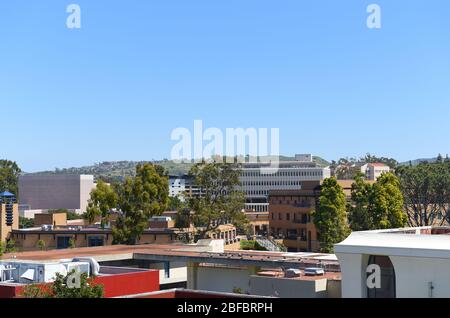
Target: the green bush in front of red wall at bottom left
(60, 289)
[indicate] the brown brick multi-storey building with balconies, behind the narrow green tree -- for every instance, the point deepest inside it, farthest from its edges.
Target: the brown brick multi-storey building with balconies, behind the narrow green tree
(290, 218)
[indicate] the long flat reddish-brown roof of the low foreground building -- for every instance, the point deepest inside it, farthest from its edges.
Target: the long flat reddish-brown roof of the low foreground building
(185, 253)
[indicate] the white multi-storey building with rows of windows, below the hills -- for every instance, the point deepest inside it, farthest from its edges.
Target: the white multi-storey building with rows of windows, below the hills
(257, 182)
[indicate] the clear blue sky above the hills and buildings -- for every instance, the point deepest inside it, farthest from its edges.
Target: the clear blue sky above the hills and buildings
(136, 70)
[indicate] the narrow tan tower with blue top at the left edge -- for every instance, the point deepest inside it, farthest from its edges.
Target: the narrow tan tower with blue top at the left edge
(9, 215)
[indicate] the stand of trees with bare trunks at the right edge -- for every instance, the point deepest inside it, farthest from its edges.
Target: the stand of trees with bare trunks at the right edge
(426, 191)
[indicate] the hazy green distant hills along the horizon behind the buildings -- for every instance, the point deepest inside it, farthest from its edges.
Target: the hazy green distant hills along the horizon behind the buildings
(117, 170)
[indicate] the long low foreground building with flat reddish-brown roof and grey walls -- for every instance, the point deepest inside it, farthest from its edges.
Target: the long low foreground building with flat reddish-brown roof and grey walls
(208, 267)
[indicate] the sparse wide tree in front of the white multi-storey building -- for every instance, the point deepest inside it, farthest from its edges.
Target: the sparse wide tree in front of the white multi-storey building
(219, 203)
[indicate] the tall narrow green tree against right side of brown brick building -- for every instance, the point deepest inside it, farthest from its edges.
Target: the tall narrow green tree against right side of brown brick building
(330, 216)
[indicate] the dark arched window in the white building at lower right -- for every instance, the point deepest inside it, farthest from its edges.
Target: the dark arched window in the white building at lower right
(388, 284)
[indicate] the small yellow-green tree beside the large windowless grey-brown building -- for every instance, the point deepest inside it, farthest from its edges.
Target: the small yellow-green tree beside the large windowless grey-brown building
(103, 199)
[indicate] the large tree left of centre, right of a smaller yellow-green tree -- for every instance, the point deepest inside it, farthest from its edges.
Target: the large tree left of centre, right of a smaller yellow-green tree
(141, 197)
